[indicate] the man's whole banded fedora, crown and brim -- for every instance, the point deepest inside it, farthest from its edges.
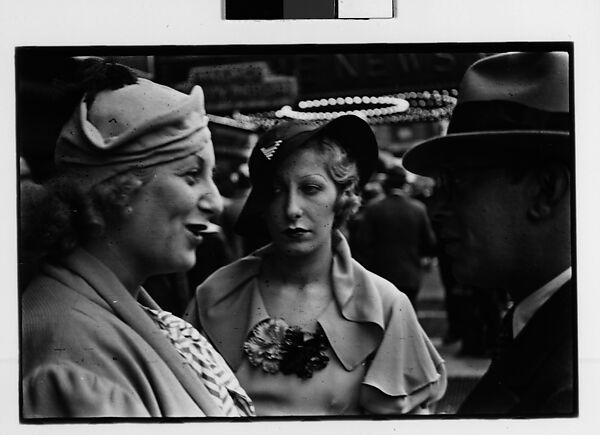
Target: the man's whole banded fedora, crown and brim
(511, 106)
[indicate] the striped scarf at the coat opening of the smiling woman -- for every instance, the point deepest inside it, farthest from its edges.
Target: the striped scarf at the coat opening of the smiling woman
(208, 364)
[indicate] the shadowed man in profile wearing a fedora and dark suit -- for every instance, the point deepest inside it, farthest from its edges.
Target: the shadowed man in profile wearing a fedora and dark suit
(503, 206)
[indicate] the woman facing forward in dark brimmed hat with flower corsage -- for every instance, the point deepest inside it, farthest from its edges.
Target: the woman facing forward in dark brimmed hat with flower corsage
(306, 329)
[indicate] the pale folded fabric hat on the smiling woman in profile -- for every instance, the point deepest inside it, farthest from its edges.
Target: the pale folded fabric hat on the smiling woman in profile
(137, 126)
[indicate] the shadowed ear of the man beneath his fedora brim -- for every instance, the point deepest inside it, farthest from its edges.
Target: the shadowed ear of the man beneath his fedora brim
(552, 187)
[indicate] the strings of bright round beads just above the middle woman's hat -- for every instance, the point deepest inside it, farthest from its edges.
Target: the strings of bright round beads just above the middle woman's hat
(406, 107)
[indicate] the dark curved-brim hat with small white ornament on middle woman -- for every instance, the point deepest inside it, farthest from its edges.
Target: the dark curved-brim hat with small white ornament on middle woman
(273, 147)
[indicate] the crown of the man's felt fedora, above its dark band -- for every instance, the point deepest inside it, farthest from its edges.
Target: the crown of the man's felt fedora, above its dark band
(535, 80)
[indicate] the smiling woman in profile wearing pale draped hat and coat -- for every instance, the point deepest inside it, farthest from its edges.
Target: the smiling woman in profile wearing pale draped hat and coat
(132, 198)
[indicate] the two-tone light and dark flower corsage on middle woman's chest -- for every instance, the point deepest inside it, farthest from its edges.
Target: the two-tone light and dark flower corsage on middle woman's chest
(274, 346)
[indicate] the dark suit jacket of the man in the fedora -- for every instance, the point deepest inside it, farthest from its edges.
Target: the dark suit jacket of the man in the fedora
(536, 375)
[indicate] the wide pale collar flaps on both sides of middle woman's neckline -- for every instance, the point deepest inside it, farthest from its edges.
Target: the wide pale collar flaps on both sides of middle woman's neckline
(230, 305)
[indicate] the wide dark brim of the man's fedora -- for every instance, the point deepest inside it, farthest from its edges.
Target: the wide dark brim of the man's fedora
(501, 149)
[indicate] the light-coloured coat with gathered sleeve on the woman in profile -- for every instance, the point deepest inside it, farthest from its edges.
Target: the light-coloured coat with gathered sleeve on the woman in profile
(89, 350)
